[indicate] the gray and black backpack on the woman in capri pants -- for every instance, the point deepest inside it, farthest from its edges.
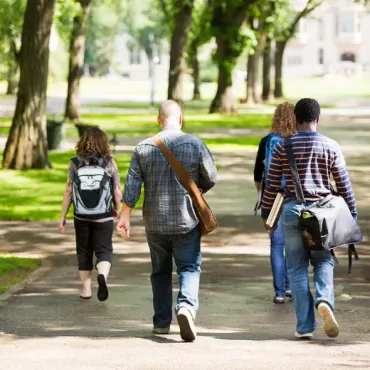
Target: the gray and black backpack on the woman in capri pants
(92, 192)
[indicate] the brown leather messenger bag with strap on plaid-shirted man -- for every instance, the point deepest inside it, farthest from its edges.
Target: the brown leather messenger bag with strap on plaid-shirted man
(207, 219)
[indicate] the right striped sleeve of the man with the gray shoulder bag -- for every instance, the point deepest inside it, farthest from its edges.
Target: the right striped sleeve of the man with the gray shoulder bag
(343, 182)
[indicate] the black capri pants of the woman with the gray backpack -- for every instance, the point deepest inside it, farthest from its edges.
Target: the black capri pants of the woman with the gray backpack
(93, 237)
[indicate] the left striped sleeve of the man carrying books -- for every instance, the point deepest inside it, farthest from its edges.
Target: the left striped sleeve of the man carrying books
(273, 181)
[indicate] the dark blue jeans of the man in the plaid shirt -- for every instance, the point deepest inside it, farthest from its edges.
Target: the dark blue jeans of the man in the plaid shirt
(185, 250)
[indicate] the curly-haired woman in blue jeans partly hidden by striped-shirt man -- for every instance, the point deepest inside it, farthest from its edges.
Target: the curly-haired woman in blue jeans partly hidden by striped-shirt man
(283, 125)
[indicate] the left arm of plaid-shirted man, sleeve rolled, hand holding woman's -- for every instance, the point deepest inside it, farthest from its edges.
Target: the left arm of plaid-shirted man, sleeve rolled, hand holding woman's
(131, 195)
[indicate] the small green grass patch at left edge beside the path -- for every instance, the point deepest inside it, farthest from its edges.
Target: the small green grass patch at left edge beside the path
(13, 270)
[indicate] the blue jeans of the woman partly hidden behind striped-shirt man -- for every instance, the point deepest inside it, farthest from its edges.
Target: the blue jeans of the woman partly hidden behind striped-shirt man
(278, 265)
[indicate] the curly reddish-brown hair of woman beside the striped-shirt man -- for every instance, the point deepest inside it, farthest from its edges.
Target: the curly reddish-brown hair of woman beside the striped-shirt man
(284, 121)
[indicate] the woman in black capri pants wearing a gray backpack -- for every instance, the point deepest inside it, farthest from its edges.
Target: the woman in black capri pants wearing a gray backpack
(93, 186)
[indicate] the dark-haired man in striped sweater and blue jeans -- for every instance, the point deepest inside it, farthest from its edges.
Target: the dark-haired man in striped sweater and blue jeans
(317, 158)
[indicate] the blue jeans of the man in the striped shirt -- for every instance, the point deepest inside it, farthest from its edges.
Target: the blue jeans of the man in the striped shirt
(298, 258)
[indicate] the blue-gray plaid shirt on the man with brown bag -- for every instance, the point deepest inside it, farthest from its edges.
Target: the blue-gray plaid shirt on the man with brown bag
(168, 208)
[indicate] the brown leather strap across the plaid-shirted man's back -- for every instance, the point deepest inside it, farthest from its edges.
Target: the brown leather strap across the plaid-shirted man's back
(181, 173)
